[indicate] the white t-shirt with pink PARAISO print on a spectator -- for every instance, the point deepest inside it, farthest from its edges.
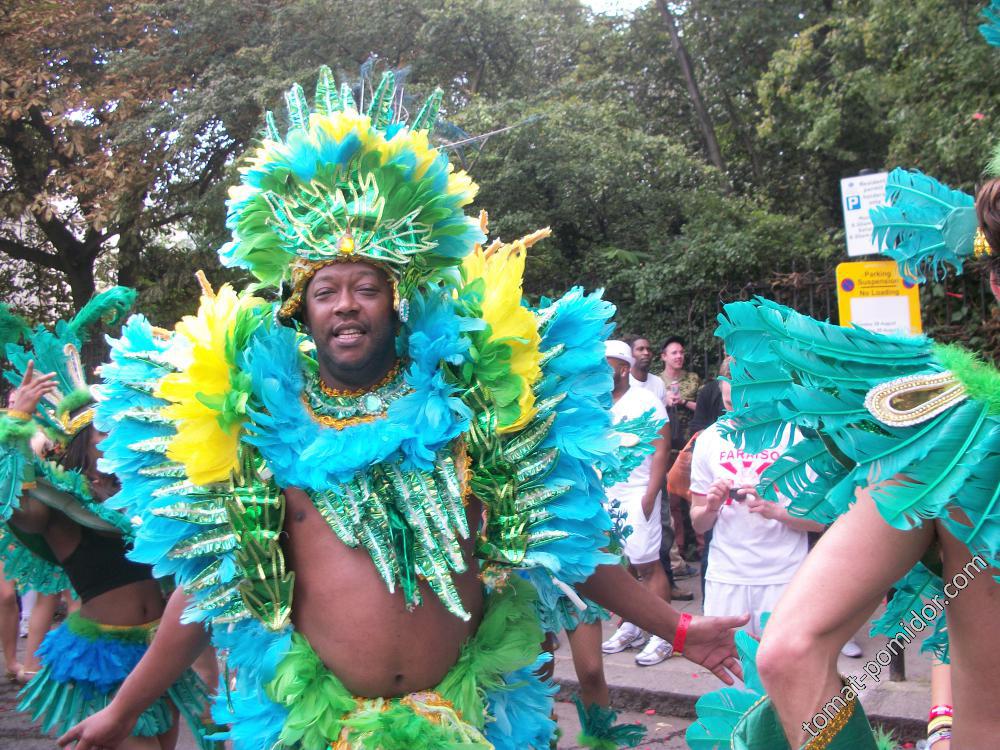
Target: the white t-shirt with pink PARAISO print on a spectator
(747, 549)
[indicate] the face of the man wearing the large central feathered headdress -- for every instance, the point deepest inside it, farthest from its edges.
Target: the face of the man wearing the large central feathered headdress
(348, 311)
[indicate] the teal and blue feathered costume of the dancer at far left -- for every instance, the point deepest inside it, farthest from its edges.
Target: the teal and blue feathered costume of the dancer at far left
(83, 662)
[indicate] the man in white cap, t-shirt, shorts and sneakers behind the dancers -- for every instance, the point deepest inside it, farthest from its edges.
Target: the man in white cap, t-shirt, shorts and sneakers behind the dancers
(639, 497)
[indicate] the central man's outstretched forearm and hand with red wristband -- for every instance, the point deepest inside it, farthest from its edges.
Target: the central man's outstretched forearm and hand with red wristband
(709, 639)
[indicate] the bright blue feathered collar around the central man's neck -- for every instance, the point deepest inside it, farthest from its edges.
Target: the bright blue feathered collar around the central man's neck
(302, 452)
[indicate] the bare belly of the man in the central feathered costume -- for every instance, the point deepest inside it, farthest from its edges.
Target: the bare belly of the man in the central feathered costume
(365, 635)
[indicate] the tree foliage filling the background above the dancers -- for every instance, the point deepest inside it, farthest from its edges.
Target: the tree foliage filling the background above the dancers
(122, 124)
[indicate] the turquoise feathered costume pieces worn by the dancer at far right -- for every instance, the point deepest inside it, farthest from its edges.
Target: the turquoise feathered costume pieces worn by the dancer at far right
(915, 422)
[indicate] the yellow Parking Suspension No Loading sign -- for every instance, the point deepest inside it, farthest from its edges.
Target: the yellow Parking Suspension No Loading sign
(872, 295)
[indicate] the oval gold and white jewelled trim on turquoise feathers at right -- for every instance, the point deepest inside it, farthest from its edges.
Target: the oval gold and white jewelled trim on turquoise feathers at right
(914, 399)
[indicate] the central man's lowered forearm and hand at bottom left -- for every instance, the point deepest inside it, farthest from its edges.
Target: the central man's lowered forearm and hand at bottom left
(172, 651)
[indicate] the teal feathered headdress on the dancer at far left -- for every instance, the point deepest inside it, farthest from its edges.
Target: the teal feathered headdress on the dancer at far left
(67, 409)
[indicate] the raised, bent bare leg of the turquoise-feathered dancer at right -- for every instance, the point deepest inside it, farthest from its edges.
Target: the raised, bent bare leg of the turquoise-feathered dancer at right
(835, 591)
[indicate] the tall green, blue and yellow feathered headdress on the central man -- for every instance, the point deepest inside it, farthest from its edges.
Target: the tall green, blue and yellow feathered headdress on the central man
(344, 186)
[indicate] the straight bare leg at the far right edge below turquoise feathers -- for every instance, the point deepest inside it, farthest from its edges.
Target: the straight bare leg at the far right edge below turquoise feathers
(973, 611)
